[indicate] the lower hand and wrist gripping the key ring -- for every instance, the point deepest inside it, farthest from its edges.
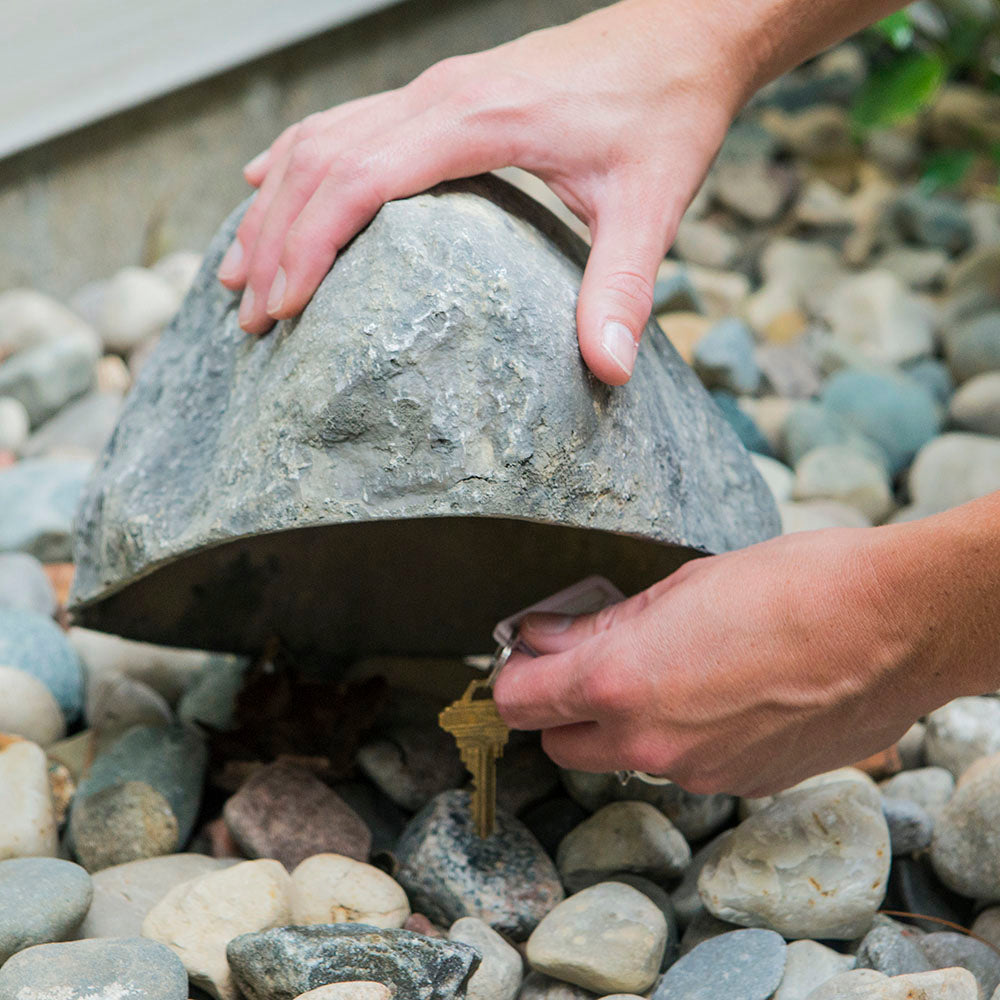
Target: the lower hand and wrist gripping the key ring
(750, 671)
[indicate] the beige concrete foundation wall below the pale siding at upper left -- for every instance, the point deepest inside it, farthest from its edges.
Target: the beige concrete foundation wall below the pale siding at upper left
(162, 176)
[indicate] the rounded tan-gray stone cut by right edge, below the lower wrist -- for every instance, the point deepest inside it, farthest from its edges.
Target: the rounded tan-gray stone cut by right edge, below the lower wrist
(966, 847)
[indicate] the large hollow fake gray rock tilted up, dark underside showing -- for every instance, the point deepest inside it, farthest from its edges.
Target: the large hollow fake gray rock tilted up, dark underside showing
(459, 361)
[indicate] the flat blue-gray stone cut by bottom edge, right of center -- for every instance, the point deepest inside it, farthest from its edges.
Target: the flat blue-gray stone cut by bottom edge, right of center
(740, 965)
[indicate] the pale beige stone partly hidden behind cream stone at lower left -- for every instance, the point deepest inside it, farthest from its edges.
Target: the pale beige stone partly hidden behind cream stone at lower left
(124, 894)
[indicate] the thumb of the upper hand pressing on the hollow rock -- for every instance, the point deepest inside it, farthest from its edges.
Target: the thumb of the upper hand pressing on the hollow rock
(616, 296)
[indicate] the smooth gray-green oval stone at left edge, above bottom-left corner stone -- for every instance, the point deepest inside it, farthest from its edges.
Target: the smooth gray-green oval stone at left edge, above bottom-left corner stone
(44, 900)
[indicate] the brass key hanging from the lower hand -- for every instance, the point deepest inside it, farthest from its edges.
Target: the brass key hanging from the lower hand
(481, 736)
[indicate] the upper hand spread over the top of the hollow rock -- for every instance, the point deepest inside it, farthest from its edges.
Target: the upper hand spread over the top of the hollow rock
(620, 112)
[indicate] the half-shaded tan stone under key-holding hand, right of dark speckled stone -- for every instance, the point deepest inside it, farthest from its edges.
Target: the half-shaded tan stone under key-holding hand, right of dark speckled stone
(623, 836)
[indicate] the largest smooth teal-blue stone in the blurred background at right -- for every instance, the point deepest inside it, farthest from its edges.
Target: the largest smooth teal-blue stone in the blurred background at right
(893, 411)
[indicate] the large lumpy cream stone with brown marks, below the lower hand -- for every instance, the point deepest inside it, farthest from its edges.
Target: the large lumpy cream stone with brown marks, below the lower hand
(822, 855)
